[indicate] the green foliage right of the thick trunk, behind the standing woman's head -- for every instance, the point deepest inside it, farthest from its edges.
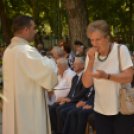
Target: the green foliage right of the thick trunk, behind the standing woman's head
(117, 13)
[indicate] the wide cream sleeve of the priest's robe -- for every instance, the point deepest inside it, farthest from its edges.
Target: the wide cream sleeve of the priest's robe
(40, 69)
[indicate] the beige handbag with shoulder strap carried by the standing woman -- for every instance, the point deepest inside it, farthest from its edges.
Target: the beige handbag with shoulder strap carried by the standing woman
(126, 96)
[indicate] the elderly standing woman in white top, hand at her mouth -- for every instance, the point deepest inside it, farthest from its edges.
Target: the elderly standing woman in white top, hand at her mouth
(102, 69)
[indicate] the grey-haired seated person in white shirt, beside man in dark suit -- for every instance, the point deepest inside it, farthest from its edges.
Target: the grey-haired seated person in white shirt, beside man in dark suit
(65, 75)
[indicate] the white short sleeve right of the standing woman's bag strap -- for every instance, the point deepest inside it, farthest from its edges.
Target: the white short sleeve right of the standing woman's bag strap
(126, 60)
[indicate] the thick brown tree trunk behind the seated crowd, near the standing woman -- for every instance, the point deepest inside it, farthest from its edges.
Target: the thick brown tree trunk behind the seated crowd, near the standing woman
(78, 21)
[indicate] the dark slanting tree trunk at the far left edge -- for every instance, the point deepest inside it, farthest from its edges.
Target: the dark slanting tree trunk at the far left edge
(4, 23)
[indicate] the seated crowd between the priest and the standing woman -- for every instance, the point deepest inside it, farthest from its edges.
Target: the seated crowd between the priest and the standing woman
(70, 103)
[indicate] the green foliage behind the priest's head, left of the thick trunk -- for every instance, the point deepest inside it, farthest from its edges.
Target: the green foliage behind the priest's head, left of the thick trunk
(45, 12)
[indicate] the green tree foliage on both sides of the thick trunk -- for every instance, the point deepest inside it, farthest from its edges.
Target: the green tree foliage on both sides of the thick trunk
(51, 17)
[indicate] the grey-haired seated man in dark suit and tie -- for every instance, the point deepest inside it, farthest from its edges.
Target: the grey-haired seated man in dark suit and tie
(77, 92)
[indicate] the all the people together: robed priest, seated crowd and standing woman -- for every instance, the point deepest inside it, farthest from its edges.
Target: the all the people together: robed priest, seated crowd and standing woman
(64, 88)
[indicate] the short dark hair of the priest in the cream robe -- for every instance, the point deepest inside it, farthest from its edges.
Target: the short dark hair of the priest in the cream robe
(20, 22)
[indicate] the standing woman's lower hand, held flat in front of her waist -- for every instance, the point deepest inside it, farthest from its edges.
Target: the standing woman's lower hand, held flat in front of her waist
(99, 75)
